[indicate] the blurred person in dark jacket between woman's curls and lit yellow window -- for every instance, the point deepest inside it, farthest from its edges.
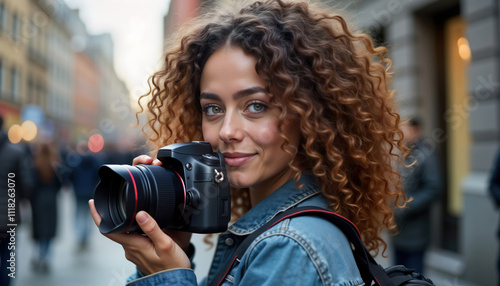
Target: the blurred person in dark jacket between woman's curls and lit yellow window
(421, 181)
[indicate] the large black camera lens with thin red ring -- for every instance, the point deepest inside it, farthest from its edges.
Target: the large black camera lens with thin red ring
(125, 190)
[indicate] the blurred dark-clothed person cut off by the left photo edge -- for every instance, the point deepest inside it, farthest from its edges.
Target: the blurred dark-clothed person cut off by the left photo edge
(15, 165)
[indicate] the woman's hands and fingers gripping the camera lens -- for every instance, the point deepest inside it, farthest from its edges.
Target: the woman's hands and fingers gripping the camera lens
(157, 250)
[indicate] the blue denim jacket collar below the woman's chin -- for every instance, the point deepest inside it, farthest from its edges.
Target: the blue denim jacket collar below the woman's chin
(286, 197)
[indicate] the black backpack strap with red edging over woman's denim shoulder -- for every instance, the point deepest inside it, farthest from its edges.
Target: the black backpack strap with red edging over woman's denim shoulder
(370, 270)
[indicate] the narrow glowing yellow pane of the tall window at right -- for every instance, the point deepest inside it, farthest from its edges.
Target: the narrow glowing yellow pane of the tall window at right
(456, 60)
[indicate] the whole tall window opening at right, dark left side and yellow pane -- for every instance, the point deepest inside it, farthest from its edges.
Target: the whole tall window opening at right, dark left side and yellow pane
(444, 97)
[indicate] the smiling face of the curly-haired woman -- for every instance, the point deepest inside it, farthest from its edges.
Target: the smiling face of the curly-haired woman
(239, 122)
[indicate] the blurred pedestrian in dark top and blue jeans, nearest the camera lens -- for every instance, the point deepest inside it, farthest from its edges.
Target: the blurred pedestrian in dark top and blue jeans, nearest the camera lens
(84, 179)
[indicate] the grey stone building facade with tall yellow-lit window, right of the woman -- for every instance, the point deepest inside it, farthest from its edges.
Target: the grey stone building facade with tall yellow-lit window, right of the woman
(446, 69)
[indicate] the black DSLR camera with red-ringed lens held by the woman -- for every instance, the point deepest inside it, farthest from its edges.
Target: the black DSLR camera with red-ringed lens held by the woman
(189, 192)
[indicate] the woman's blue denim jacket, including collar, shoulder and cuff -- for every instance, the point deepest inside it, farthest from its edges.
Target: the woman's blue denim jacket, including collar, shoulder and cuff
(303, 250)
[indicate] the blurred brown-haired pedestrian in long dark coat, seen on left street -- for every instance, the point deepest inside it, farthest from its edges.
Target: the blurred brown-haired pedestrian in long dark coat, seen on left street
(46, 158)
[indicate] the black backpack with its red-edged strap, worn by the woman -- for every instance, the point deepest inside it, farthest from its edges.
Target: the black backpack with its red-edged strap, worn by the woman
(371, 272)
